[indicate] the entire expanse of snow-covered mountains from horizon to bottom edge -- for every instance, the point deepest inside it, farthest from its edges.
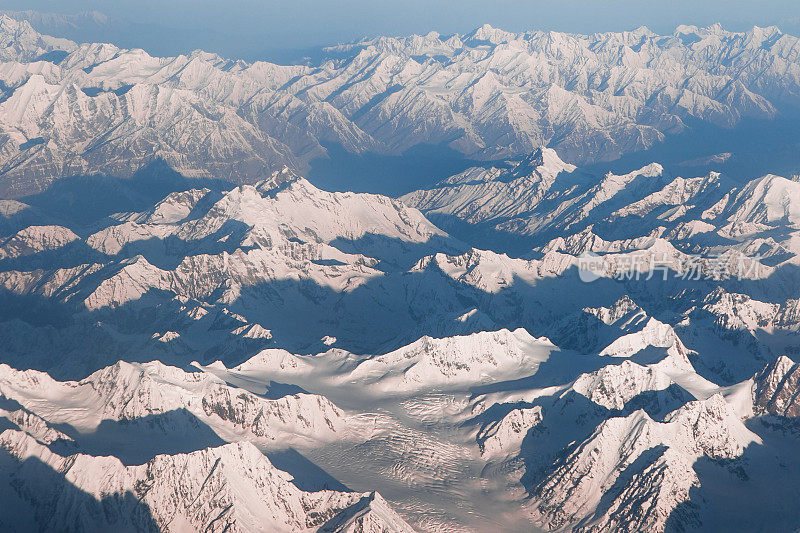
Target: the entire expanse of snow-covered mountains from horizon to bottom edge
(526, 345)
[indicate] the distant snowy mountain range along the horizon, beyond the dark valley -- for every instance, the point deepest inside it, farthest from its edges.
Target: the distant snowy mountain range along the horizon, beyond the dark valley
(69, 108)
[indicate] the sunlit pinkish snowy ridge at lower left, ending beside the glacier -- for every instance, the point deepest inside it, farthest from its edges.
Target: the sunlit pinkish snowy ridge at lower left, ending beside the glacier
(130, 392)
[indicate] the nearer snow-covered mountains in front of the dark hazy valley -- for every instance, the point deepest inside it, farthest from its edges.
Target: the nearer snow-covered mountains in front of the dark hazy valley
(277, 338)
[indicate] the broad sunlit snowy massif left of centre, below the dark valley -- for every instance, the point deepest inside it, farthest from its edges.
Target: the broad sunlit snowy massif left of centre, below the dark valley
(257, 234)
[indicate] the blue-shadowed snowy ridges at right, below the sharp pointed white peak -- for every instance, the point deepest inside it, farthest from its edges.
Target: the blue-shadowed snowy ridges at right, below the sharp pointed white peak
(576, 213)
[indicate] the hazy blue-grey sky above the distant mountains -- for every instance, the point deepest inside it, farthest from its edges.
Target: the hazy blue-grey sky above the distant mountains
(260, 28)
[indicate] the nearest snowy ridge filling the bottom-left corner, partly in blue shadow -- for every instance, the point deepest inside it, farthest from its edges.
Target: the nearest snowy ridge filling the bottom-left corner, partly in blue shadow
(230, 488)
